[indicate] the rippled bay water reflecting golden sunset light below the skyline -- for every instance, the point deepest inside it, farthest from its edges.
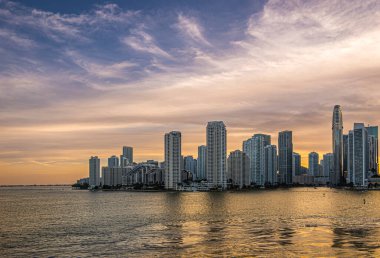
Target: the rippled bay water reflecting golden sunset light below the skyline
(58, 221)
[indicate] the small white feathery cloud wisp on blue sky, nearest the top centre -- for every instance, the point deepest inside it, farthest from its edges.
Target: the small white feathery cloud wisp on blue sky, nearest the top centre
(191, 29)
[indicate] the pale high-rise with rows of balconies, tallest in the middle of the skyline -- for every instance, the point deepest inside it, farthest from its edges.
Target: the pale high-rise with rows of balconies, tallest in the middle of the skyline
(216, 154)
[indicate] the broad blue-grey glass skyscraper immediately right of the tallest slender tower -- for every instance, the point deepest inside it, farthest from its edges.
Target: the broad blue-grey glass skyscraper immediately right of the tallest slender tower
(358, 158)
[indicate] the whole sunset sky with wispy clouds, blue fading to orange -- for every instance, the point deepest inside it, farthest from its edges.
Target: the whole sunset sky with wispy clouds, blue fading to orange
(83, 78)
